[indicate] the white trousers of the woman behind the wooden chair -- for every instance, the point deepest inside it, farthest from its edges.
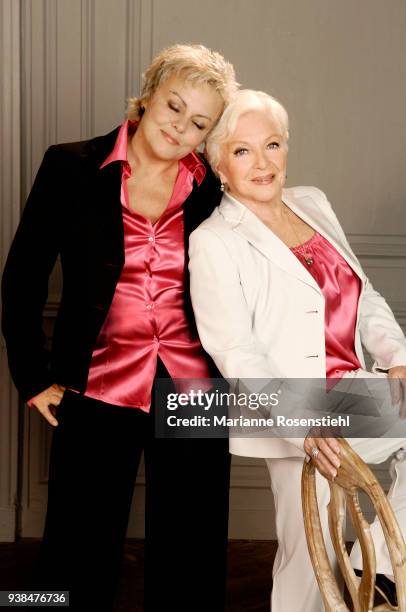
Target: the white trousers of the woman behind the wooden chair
(295, 587)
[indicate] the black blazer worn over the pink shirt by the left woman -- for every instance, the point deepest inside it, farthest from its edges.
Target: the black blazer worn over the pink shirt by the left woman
(74, 211)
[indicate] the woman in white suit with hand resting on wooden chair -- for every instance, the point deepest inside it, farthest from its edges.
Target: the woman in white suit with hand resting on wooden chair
(279, 294)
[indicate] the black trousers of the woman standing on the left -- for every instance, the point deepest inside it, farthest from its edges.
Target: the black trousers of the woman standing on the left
(94, 460)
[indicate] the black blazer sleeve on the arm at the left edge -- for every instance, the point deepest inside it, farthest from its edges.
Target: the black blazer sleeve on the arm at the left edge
(32, 256)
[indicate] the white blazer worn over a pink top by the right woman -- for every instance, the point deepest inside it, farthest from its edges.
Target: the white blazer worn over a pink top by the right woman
(260, 313)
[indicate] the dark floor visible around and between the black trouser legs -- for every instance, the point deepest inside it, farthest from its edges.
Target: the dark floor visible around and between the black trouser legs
(249, 573)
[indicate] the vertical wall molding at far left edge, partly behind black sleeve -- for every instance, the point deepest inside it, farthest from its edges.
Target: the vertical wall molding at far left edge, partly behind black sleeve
(10, 176)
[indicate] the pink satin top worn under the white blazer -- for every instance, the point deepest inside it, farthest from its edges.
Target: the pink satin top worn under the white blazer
(341, 290)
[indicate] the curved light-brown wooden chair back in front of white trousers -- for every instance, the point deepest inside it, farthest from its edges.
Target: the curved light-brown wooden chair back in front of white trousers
(353, 475)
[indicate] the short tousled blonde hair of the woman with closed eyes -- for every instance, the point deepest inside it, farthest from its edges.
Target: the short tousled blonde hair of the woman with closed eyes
(197, 63)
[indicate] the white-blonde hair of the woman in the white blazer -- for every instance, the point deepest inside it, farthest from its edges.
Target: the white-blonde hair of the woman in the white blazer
(244, 101)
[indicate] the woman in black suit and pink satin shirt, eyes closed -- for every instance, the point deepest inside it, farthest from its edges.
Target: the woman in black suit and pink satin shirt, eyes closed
(118, 210)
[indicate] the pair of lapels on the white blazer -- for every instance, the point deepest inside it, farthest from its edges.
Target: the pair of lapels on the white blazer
(247, 224)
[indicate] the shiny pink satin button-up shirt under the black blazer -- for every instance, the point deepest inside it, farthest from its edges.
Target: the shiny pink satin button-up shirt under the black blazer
(147, 316)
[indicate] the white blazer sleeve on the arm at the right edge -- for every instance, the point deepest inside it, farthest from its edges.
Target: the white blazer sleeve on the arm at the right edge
(380, 333)
